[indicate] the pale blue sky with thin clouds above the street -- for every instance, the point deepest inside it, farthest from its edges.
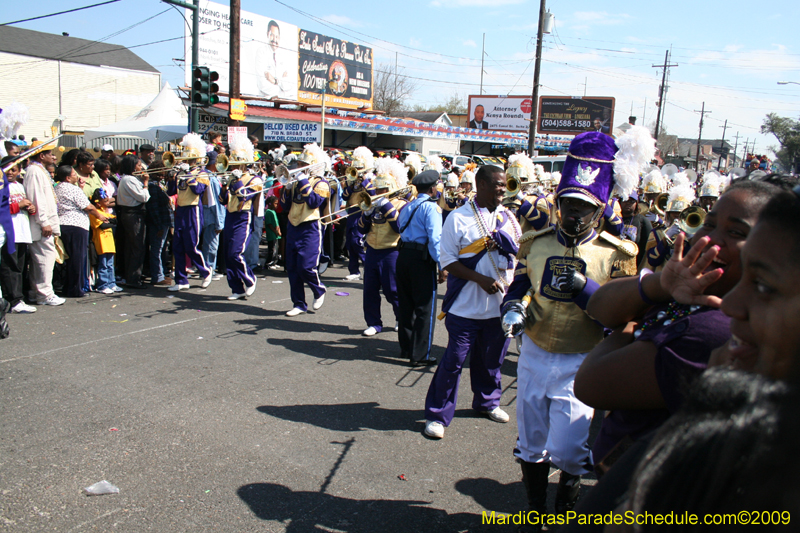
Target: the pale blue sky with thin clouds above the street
(730, 55)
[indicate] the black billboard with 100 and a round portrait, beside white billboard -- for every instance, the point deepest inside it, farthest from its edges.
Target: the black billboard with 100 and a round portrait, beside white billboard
(342, 70)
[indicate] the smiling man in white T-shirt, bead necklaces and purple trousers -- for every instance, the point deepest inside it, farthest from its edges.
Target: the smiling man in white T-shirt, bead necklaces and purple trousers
(479, 243)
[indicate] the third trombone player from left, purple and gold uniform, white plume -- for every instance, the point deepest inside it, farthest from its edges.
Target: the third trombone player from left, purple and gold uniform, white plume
(303, 199)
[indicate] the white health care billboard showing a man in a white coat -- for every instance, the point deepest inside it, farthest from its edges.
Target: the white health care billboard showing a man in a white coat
(268, 56)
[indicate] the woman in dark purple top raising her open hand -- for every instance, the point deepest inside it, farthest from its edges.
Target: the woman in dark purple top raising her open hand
(668, 323)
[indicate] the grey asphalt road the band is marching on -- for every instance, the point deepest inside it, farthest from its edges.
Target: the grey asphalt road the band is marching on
(212, 415)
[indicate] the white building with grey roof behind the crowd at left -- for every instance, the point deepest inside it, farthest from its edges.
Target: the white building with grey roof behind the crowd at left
(71, 84)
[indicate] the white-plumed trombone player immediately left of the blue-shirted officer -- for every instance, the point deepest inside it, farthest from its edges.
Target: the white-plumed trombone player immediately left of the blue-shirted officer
(379, 224)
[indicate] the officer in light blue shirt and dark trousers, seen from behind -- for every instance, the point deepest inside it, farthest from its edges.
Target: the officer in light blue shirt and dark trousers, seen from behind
(420, 224)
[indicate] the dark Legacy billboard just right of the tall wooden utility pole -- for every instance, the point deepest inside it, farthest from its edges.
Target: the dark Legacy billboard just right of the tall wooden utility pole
(571, 115)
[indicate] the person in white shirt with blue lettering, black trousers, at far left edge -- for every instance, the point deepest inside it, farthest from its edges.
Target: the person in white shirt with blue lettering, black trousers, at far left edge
(12, 265)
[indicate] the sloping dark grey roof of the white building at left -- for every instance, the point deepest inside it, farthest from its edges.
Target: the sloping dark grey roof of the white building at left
(57, 47)
